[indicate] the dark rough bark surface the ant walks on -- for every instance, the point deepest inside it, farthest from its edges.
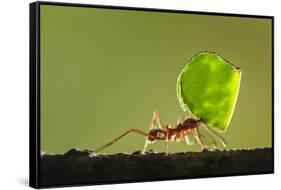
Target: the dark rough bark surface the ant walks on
(85, 167)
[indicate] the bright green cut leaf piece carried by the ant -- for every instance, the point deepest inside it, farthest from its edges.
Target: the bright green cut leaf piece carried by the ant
(208, 87)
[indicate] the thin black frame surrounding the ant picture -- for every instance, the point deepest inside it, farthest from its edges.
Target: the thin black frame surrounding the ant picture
(34, 99)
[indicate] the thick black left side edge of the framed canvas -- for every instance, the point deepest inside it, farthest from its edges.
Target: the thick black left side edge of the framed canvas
(34, 96)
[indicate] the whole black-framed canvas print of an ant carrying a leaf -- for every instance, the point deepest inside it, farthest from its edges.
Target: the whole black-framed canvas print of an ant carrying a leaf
(121, 94)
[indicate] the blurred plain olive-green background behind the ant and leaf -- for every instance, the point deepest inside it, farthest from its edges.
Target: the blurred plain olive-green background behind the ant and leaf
(104, 71)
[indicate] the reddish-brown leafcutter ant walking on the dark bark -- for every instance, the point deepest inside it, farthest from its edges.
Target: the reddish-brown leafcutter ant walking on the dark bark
(184, 128)
